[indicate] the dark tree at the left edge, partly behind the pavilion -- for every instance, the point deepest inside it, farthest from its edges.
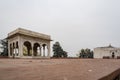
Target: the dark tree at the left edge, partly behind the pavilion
(4, 44)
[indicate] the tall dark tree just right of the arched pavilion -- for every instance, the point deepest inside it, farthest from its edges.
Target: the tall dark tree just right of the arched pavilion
(58, 51)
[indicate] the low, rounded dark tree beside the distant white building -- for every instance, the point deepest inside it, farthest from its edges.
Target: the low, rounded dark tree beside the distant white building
(86, 53)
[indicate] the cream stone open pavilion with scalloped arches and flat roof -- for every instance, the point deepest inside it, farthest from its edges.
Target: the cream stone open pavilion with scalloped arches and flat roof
(24, 43)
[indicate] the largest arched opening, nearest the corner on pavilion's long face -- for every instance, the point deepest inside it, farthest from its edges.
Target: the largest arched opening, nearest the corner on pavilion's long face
(27, 49)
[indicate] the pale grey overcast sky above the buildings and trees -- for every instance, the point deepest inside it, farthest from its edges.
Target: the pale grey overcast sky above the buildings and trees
(75, 24)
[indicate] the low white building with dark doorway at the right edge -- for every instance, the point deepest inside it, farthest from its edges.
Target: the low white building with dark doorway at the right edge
(107, 52)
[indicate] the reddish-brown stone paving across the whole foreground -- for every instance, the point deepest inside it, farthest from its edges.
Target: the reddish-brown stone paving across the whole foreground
(56, 69)
